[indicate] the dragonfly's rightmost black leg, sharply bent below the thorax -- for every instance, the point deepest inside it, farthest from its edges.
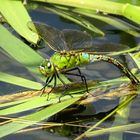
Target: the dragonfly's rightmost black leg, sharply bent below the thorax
(83, 78)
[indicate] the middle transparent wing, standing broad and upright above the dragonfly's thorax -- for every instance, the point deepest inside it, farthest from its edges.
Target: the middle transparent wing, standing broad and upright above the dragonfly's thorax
(76, 40)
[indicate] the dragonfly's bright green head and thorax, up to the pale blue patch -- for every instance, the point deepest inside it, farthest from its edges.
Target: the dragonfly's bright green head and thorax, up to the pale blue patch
(62, 61)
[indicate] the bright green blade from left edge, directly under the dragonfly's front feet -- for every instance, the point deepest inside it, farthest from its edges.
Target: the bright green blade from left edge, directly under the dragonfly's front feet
(36, 102)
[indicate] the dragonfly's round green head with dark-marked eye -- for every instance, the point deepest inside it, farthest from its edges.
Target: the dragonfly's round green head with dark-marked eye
(46, 68)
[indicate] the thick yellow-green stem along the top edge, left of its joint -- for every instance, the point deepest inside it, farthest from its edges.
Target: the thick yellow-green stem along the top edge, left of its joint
(103, 5)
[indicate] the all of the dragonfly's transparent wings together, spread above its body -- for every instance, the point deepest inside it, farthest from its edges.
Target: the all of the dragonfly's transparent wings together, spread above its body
(69, 39)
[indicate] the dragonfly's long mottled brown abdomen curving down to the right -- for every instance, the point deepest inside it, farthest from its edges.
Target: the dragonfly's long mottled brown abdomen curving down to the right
(95, 58)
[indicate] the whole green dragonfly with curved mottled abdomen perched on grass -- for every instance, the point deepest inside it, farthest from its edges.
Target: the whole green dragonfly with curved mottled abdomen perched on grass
(72, 49)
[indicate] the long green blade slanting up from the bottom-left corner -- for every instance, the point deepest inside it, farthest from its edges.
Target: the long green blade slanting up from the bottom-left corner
(34, 117)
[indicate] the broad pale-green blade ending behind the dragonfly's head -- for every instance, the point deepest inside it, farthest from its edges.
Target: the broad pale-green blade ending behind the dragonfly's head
(20, 51)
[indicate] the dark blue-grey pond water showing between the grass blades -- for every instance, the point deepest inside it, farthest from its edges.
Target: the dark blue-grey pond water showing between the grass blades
(89, 114)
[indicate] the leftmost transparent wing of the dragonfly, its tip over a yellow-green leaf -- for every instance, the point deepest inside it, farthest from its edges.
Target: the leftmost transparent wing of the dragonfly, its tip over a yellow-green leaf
(52, 36)
